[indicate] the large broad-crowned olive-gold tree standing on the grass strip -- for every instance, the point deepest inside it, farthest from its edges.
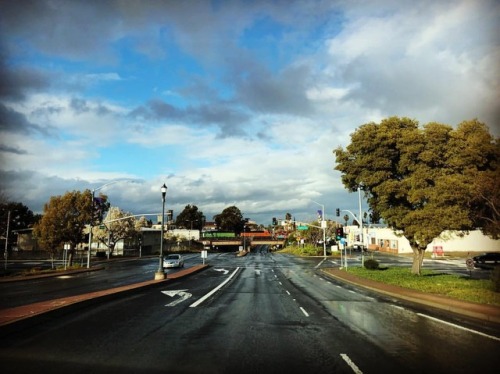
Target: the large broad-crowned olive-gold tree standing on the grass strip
(420, 181)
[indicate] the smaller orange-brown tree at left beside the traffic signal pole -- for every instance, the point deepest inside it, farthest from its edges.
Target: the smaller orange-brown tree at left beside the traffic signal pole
(64, 220)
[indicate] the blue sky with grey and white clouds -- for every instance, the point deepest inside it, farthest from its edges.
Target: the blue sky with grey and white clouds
(229, 103)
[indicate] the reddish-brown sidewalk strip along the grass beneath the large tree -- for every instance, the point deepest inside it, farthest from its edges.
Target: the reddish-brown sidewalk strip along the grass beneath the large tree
(480, 311)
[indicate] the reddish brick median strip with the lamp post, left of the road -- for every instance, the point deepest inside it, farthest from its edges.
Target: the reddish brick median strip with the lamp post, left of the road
(11, 315)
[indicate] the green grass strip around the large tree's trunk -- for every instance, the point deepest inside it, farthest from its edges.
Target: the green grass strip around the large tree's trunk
(454, 286)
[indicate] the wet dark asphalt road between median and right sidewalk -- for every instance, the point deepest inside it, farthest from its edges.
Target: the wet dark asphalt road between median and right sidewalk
(266, 313)
